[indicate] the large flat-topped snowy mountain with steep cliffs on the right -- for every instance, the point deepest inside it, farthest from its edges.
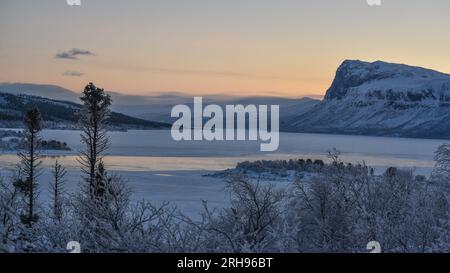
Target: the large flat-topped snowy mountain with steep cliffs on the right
(382, 99)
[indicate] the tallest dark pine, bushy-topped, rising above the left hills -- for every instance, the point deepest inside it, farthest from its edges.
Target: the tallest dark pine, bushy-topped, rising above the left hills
(93, 122)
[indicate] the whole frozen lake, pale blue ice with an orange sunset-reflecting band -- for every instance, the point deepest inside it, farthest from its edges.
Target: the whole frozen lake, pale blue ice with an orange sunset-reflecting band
(160, 169)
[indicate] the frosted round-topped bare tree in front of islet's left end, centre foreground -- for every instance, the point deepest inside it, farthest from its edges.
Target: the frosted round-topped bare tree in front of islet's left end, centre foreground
(248, 225)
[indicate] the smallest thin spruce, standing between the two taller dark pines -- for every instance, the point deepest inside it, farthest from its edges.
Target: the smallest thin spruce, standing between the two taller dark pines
(58, 190)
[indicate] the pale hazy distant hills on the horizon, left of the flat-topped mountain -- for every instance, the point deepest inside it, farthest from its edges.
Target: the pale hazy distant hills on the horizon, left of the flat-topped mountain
(158, 107)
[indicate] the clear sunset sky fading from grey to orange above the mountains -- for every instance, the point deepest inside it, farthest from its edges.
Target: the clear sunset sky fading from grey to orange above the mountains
(235, 47)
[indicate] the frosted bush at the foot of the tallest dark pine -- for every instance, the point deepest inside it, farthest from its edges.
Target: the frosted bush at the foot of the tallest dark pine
(106, 222)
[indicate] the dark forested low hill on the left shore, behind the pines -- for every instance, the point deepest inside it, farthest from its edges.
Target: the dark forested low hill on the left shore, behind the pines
(61, 114)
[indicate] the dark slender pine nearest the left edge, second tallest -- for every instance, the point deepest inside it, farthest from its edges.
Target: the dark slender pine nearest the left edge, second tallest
(30, 162)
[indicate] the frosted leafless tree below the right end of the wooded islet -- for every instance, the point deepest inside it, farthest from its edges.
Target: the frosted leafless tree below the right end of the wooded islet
(324, 211)
